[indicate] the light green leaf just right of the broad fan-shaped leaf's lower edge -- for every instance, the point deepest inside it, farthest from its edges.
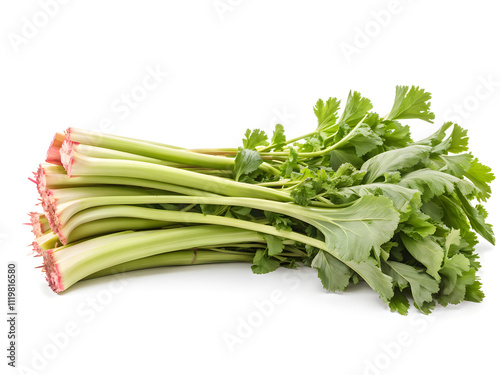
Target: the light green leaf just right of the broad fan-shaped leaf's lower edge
(426, 251)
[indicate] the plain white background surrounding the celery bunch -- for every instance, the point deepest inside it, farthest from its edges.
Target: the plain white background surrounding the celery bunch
(246, 65)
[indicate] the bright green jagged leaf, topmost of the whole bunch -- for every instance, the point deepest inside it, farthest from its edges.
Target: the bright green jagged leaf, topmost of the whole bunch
(411, 103)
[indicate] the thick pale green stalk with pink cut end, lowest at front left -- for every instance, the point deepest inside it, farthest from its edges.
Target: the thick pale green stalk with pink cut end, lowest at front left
(67, 265)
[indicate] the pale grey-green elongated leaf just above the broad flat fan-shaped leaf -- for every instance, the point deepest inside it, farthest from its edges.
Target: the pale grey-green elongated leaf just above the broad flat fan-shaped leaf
(392, 161)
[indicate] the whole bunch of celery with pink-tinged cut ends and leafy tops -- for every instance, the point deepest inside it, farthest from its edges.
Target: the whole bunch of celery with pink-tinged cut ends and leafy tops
(357, 199)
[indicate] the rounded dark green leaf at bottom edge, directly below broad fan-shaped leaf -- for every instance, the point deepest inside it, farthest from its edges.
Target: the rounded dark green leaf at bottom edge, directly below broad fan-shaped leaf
(334, 274)
